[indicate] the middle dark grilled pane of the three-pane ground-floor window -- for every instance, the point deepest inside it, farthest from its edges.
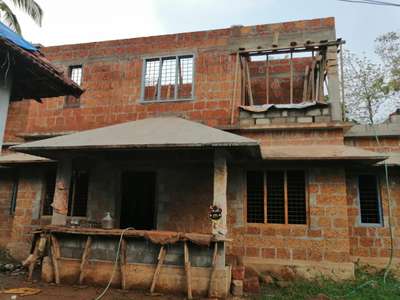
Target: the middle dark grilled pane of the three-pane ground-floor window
(276, 197)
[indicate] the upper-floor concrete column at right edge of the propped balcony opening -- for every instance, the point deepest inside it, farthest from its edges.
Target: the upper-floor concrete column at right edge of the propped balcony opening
(333, 84)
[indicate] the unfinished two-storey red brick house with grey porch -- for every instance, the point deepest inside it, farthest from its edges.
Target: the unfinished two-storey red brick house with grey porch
(248, 119)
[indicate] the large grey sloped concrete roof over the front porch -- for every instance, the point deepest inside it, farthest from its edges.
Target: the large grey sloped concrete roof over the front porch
(160, 132)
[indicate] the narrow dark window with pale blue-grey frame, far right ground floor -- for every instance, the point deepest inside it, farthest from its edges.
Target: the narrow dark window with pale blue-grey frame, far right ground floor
(368, 194)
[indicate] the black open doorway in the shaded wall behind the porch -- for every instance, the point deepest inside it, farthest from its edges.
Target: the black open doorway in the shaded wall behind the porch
(138, 200)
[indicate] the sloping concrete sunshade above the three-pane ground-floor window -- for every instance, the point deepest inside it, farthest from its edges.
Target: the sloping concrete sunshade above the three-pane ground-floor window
(320, 152)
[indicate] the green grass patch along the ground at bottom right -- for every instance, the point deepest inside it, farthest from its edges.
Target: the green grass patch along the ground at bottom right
(366, 285)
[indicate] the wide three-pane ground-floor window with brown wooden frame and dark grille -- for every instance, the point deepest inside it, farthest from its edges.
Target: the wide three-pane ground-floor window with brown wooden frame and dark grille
(276, 197)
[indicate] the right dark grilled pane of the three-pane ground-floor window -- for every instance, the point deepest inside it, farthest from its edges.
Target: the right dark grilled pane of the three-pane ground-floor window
(296, 195)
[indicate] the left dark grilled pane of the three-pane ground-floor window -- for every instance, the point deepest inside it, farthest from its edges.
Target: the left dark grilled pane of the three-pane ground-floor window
(255, 197)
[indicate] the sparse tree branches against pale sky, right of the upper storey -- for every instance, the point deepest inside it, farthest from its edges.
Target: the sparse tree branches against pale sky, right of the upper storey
(372, 87)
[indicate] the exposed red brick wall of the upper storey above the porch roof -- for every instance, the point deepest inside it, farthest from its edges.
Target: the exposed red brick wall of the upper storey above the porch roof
(112, 74)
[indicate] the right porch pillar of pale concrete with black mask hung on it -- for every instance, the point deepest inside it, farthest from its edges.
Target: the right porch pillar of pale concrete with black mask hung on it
(220, 200)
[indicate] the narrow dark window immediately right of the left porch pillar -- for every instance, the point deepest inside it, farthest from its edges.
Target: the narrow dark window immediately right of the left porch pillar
(78, 193)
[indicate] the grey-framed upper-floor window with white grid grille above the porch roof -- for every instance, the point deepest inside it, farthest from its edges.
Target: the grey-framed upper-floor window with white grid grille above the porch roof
(168, 78)
